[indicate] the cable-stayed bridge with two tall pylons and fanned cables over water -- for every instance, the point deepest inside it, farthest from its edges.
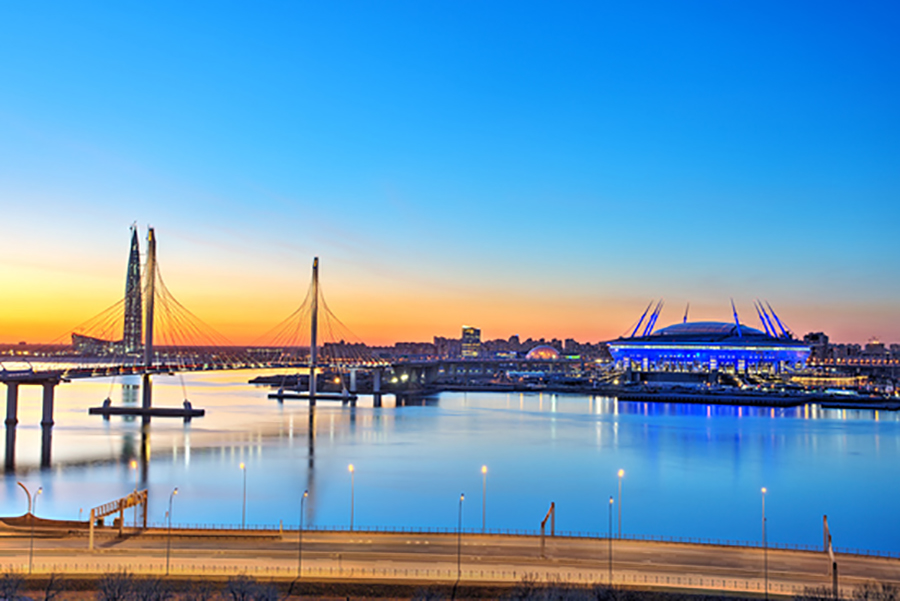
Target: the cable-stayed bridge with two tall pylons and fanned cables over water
(150, 332)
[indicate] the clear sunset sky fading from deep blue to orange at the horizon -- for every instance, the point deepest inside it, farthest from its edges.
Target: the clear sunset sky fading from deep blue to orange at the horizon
(541, 169)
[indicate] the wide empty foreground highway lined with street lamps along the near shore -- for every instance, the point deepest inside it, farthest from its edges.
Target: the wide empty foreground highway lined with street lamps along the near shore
(421, 558)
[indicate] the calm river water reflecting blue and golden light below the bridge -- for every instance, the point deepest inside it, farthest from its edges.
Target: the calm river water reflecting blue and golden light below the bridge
(690, 470)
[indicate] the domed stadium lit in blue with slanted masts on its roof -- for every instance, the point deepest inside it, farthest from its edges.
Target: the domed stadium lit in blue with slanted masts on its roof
(710, 345)
